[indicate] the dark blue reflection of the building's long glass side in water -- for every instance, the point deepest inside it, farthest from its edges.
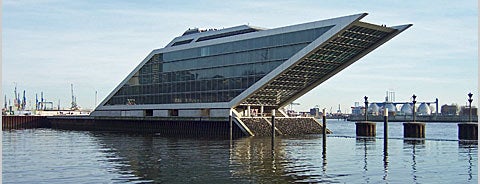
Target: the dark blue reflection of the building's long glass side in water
(149, 158)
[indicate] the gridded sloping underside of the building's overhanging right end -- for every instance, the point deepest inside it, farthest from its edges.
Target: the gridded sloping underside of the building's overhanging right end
(327, 58)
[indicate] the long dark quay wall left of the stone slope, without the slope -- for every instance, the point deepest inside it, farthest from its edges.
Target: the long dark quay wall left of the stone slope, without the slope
(197, 127)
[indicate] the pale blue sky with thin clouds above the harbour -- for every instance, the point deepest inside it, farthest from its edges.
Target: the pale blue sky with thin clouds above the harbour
(50, 44)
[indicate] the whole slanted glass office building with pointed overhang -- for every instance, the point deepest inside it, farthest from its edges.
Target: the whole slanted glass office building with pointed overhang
(209, 72)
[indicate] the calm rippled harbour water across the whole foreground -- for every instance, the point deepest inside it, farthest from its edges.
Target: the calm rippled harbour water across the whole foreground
(53, 156)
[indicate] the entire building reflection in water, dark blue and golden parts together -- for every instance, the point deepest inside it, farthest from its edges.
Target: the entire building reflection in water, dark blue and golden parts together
(150, 158)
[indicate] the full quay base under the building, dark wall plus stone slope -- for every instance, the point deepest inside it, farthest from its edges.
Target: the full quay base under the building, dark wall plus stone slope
(205, 127)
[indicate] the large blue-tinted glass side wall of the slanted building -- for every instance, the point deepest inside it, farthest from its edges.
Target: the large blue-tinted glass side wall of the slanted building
(213, 73)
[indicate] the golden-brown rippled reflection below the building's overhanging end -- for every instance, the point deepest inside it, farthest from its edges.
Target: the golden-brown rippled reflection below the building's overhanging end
(253, 158)
